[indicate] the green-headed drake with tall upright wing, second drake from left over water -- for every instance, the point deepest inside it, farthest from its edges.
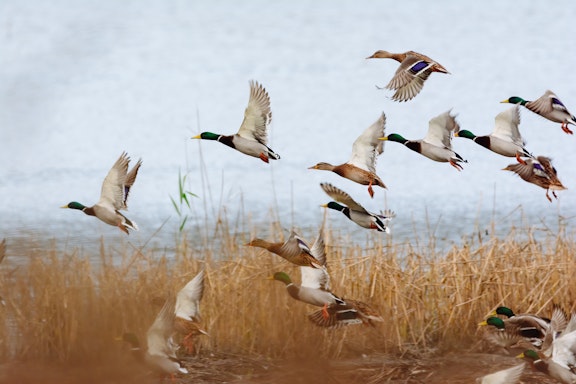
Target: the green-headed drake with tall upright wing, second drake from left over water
(252, 137)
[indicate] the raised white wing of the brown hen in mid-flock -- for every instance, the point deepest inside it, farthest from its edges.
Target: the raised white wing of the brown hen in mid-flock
(367, 146)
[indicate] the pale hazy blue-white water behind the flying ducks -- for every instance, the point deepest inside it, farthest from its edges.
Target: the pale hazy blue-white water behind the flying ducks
(82, 81)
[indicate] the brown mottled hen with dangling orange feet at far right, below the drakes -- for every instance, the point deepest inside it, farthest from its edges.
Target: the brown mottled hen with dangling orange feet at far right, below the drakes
(538, 171)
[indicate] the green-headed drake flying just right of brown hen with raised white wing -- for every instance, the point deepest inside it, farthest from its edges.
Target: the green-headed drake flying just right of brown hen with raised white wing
(437, 144)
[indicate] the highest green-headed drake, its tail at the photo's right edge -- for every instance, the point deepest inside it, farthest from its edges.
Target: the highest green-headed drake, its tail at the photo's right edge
(548, 106)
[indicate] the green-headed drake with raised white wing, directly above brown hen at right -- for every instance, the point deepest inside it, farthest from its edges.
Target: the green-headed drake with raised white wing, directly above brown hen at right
(505, 139)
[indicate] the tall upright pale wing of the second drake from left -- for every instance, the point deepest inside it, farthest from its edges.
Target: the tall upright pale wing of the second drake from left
(257, 115)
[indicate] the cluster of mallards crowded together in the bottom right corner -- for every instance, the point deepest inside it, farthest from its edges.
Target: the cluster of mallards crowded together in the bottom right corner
(549, 344)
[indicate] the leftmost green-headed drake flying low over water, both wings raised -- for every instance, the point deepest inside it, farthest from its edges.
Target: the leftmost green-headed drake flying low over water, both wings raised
(114, 195)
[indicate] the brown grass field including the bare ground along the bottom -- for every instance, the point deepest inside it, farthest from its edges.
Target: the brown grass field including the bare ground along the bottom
(62, 312)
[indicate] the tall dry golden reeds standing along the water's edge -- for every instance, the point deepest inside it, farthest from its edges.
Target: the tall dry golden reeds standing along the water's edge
(60, 306)
